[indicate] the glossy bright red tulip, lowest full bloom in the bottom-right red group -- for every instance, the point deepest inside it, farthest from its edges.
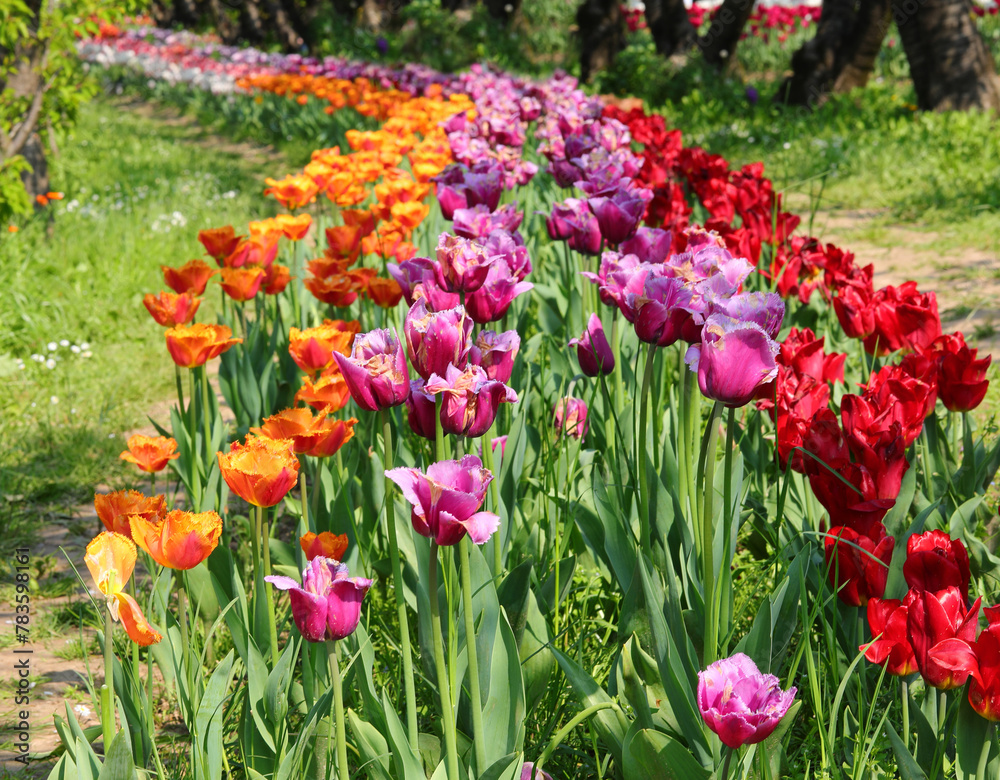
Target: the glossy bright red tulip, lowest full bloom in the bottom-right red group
(941, 632)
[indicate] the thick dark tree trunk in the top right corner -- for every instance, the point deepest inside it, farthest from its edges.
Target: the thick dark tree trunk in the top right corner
(950, 65)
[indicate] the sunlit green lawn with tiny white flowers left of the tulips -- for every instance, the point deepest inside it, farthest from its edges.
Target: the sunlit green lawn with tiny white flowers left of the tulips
(136, 193)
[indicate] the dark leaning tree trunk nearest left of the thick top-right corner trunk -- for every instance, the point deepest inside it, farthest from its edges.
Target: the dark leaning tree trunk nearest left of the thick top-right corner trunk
(818, 62)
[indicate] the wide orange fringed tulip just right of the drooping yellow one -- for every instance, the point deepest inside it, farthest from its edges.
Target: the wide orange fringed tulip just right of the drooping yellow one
(180, 540)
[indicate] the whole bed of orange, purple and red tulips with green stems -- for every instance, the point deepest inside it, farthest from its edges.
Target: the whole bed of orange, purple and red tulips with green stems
(642, 506)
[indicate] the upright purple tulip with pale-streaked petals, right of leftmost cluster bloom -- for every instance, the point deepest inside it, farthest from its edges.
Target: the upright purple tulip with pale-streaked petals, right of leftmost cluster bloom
(435, 339)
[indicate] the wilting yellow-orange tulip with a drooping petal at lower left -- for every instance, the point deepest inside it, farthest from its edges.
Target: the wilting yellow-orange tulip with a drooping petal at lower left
(111, 560)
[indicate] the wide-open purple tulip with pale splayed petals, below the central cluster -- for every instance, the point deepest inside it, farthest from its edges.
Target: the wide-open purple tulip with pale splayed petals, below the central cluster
(447, 498)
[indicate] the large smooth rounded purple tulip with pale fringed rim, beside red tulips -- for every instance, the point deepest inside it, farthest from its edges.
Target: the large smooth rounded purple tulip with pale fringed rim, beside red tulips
(733, 360)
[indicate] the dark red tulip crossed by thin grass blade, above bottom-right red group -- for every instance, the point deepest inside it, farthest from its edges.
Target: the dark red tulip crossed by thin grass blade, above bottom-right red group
(858, 564)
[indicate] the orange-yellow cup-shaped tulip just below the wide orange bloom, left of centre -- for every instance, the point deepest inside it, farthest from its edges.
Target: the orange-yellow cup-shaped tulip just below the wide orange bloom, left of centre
(261, 471)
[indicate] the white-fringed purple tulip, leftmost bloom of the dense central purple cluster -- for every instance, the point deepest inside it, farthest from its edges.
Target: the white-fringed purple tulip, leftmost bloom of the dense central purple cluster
(375, 371)
